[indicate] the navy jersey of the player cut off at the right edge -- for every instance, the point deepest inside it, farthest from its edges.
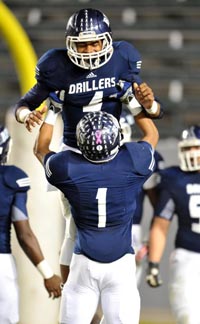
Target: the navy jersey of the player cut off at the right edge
(179, 194)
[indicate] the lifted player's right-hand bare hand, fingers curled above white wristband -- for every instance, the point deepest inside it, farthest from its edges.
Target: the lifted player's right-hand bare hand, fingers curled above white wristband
(144, 95)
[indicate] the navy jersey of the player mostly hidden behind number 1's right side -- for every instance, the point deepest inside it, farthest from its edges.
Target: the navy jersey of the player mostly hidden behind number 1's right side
(137, 218)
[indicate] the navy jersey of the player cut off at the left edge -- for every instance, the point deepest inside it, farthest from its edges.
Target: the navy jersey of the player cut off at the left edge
(14, 184)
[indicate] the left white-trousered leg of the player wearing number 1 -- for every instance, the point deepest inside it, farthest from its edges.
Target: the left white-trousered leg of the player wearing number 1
(80, 295)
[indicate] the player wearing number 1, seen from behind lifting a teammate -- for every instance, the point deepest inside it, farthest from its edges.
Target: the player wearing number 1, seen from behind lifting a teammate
(103, 266)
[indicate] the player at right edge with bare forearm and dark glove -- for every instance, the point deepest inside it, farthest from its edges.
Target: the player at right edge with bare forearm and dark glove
(180, 194)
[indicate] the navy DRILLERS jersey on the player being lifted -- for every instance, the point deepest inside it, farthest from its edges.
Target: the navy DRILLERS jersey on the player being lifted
(85, 90)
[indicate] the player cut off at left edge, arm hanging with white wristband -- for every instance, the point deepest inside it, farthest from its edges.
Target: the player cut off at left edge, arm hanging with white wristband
(14, 184)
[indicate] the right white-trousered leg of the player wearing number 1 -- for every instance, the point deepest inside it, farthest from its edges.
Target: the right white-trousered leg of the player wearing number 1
(119, 293)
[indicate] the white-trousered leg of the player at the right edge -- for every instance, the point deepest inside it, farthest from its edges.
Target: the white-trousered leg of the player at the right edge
(184, 280)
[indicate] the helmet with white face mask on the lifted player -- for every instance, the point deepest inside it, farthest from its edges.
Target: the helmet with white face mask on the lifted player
(89, 25)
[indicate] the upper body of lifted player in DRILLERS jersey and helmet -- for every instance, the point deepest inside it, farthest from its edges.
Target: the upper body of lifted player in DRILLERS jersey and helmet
(92, 73)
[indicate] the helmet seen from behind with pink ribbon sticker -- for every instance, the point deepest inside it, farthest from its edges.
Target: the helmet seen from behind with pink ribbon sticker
(98, 136)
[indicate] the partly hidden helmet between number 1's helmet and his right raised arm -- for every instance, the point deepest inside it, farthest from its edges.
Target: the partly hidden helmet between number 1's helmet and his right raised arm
(126, 123)
